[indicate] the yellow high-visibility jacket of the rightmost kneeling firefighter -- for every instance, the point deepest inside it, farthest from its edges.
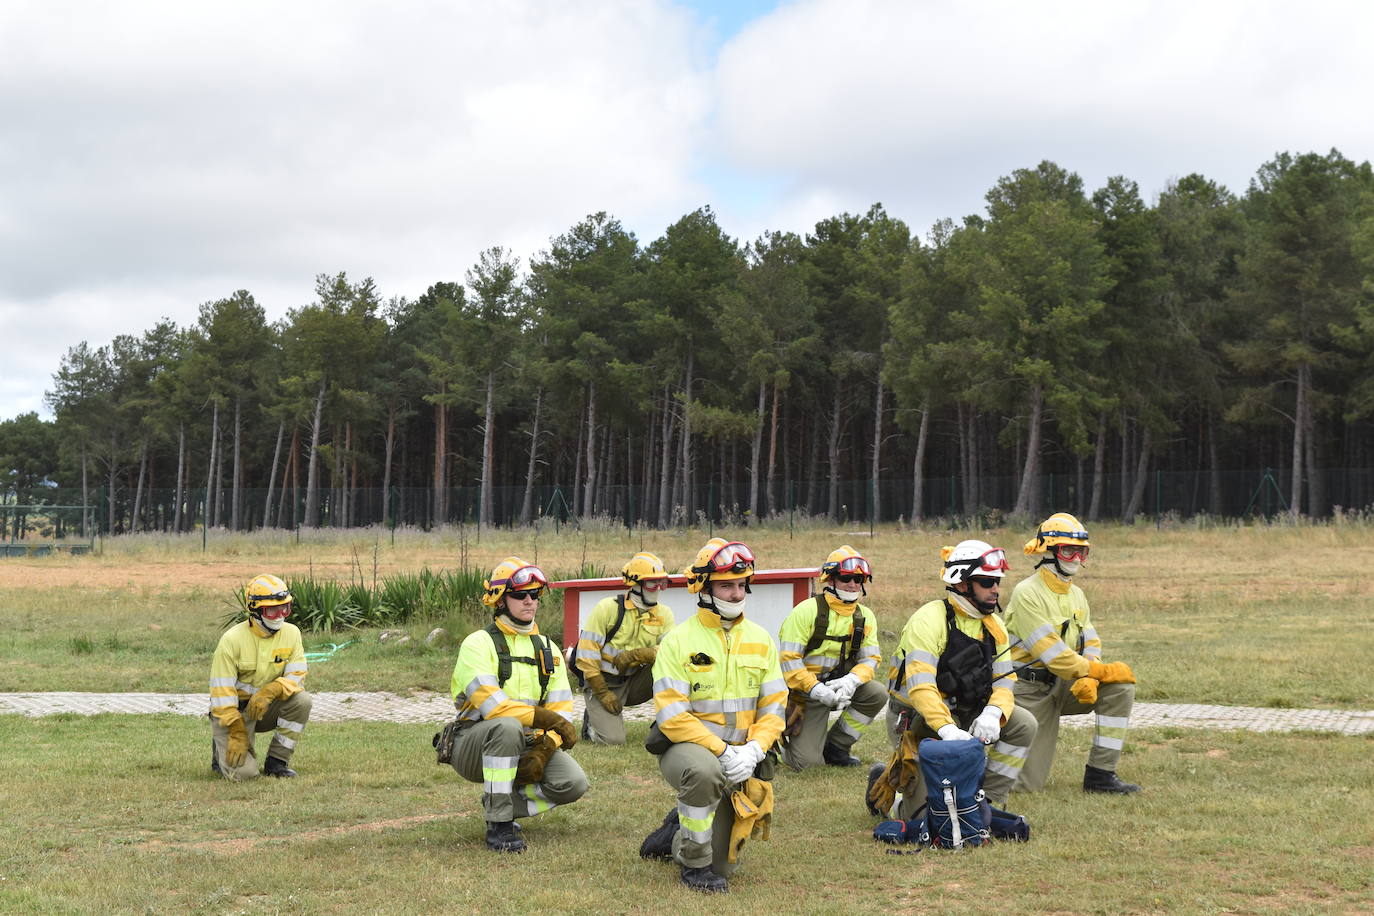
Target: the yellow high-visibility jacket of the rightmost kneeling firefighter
(1050, 626)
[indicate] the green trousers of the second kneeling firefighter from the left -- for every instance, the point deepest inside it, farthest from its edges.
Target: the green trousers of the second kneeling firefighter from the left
(490, 752)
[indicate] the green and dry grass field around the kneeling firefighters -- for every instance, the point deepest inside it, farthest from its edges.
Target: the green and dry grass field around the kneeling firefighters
(119, 814)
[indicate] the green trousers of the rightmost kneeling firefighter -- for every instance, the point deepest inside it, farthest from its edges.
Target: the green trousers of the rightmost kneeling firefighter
(1048, 702)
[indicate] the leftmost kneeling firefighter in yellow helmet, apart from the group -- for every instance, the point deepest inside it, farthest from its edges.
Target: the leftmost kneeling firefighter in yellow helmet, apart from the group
(256, 686)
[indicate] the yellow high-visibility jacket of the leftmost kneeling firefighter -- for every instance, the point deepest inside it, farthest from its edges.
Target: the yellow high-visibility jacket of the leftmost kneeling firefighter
(251, 657)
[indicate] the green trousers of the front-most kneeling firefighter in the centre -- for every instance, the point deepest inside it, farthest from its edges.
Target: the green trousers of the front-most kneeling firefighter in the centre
(706, 814)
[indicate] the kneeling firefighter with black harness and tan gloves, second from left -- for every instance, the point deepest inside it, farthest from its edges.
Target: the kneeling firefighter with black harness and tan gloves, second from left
(515, 711)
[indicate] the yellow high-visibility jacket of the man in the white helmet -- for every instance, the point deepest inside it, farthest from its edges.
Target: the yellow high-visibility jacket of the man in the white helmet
(924, 641)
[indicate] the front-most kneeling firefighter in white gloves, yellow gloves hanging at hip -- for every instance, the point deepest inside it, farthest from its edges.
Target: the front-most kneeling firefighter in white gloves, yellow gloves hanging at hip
(721, 700)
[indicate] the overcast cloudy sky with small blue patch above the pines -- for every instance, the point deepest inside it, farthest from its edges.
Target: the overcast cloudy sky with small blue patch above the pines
(156, 156)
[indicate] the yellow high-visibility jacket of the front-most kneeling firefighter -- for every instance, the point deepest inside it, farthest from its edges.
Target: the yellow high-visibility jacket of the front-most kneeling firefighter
(715, 687)
